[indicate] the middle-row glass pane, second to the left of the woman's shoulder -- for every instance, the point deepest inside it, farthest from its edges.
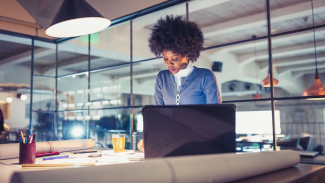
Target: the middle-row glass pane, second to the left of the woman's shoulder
(110, 88)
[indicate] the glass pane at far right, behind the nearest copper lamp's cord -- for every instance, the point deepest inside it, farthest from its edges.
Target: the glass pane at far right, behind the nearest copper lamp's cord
(294, 61)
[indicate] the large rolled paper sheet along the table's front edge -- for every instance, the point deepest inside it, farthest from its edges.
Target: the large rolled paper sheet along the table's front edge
(186, 169)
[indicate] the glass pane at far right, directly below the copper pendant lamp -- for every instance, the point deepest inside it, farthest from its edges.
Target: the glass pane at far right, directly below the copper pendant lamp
(304, 120)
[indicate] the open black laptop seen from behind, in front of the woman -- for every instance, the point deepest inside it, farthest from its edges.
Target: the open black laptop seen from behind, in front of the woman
(189, 130)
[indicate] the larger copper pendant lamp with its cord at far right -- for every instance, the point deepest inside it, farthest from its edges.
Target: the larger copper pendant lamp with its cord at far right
(317, 88)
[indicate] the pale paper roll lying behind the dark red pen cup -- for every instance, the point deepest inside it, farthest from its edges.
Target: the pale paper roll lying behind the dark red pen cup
(12, 150)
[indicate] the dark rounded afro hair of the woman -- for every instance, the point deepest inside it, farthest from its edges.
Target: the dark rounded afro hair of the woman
(177, 35)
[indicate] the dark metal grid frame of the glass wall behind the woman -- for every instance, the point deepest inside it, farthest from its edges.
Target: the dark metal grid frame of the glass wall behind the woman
(141, 13)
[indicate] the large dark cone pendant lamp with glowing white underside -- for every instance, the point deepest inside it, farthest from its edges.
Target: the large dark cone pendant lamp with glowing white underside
(76, 18)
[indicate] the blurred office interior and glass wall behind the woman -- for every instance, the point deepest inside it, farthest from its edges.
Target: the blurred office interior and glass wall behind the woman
(96, 85)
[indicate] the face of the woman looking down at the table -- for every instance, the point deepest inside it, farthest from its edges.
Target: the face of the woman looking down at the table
(174, 62)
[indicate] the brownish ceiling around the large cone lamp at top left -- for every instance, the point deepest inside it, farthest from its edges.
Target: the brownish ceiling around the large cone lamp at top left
(42, 12)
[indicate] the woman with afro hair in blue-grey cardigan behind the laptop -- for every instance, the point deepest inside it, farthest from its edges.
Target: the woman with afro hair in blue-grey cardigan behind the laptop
(180, 42)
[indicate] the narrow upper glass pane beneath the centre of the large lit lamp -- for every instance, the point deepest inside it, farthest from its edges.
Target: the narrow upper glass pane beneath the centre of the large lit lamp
(73, 56)
